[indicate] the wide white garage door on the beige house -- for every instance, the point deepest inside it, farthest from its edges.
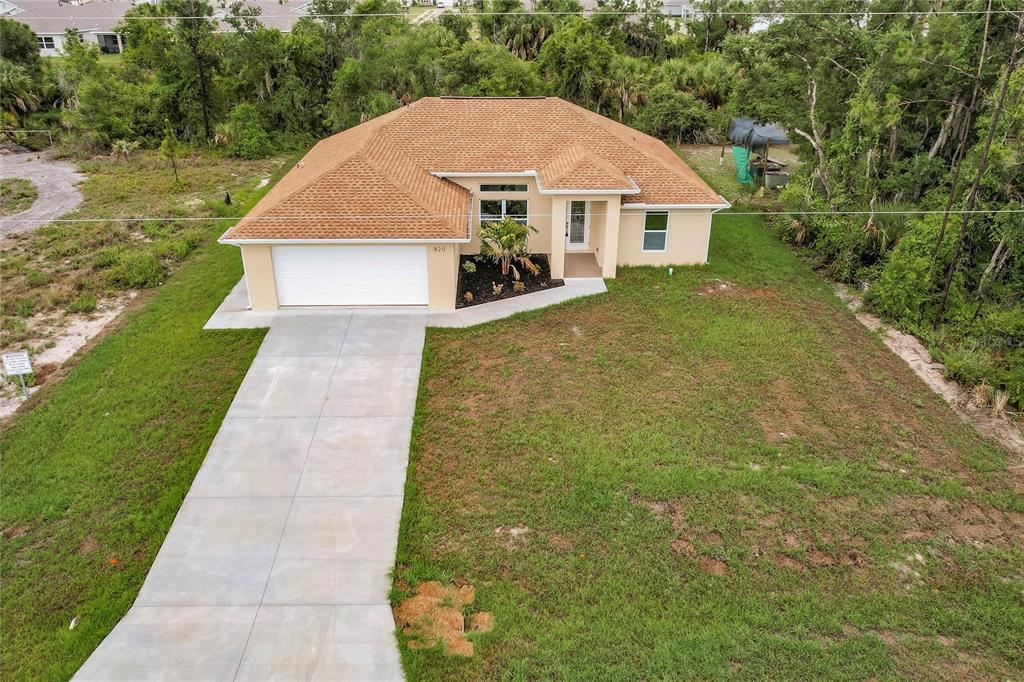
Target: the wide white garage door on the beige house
(394, 275)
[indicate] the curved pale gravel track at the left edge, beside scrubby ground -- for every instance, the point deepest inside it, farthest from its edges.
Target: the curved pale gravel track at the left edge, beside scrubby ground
(56, 182)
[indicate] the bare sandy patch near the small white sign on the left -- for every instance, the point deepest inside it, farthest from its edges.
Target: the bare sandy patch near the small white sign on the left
(60, 337)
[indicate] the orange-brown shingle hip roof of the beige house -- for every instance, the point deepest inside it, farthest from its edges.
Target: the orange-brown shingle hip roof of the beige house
(381, 180)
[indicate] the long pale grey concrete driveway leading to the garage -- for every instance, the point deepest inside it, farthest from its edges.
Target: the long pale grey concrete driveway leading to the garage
(277, 565)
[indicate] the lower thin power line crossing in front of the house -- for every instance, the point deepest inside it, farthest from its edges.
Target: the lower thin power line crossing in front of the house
(339, 217)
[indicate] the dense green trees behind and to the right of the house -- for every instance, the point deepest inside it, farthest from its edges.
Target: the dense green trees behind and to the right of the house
(893, 106)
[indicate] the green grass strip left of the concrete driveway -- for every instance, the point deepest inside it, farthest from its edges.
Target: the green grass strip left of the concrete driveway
(96, 470)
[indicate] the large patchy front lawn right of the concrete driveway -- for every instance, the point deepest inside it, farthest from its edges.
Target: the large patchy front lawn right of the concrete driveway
(717, 475)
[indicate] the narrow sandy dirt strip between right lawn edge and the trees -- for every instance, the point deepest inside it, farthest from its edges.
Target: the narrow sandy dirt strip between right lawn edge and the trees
(918, 359)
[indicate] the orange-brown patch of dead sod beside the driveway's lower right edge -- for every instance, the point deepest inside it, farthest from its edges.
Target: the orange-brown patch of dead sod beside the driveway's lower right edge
(435, 615)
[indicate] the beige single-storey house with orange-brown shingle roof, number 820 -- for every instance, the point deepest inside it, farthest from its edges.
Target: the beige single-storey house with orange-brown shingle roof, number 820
(379, 215)
